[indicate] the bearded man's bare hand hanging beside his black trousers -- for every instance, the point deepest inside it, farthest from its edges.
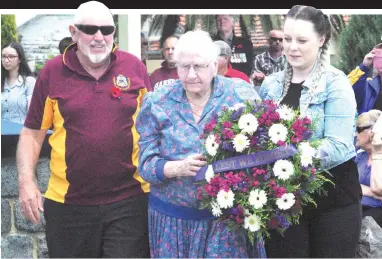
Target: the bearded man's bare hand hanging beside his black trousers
(30, 200)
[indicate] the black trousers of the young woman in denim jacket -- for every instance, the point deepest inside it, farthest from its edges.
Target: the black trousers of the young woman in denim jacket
(327, 234)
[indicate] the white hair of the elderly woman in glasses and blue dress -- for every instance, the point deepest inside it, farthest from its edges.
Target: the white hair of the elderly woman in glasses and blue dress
(196, 42)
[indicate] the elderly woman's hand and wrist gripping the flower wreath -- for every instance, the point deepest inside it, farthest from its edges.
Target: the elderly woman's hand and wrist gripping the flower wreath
(186, 167)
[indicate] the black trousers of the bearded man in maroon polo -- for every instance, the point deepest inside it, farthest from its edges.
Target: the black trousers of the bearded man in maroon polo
(117, 230)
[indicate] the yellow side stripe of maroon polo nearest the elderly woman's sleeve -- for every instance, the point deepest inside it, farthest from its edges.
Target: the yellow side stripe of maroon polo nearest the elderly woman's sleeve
(144, 185)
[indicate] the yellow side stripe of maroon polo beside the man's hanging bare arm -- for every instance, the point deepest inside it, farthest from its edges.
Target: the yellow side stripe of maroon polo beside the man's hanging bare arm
(58, 185)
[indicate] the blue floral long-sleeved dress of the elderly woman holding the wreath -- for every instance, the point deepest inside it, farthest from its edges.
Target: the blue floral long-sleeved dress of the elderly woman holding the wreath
(168, 131)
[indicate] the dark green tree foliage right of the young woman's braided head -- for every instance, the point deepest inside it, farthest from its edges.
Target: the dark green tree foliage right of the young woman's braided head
(357, 39)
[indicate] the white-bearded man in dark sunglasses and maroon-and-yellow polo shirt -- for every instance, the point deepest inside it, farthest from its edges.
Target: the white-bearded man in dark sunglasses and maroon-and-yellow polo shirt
(96, 201)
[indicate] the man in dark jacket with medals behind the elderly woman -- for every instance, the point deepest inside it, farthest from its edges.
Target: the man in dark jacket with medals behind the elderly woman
(242, 48)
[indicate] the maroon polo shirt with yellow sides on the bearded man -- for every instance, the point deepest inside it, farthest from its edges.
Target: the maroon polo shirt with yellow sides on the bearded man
(94, 154)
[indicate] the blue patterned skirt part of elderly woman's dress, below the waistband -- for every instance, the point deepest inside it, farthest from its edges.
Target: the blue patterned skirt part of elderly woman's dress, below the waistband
(178, 238)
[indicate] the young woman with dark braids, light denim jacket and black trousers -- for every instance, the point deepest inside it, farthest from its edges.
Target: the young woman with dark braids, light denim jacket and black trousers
(323, 93)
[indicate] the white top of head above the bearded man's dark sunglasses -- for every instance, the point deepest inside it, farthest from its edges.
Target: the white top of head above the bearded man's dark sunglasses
(93, 9)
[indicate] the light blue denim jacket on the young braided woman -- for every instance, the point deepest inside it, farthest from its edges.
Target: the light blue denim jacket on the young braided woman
(332, 107)
